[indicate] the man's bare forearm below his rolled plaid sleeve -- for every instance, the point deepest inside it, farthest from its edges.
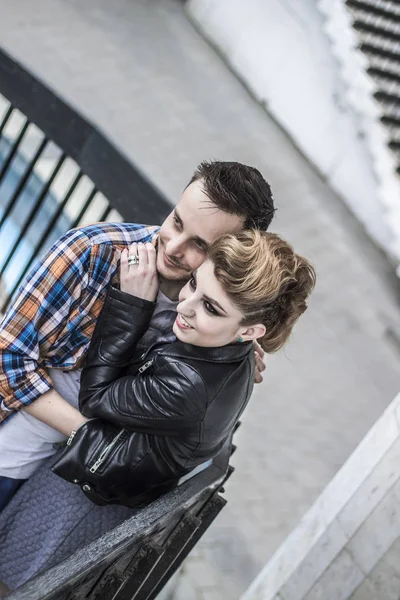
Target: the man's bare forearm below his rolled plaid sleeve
(52, 409)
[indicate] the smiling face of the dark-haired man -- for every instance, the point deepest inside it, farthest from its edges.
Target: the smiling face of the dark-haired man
(188, 231)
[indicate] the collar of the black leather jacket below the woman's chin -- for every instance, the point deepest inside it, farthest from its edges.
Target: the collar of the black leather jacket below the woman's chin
(235, 352)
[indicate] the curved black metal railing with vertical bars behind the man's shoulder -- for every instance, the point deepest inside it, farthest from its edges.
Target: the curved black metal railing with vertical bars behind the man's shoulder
(57, 171)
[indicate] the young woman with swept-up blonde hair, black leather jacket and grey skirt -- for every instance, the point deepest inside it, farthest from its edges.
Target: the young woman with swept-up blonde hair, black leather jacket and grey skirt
(155, 415)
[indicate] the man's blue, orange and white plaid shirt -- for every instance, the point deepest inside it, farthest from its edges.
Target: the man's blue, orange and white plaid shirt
(53, 316)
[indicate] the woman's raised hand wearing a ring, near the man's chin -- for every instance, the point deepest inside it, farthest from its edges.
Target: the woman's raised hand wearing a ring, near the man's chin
(140, 279)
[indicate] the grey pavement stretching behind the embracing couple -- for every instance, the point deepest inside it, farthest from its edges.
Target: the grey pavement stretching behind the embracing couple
(141, 72)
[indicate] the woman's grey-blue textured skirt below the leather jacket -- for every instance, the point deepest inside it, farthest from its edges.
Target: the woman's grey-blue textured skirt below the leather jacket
(45, 522)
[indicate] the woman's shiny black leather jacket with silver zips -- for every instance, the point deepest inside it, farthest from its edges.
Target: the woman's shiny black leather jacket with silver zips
(154, 421)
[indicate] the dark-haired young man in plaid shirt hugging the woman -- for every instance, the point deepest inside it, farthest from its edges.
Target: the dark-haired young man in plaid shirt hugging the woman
(47, 330)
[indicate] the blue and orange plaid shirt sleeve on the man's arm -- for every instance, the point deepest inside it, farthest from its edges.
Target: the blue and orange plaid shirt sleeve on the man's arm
(34, 320)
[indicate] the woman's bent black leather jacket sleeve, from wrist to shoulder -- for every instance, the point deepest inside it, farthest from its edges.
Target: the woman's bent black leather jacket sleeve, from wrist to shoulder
(164, 399)
